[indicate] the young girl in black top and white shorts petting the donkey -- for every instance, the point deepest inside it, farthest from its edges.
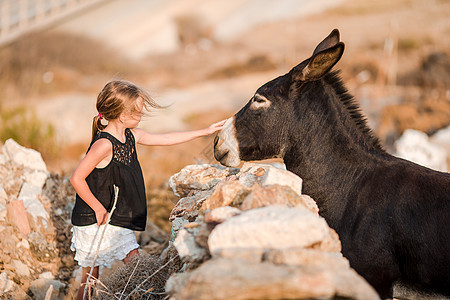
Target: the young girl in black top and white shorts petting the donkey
(111, 160)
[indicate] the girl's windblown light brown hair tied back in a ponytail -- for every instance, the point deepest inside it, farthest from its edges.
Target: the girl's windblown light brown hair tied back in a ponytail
(116, 97)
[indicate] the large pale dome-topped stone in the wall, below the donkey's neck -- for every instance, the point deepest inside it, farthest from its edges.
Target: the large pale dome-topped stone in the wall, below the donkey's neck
(270, 227)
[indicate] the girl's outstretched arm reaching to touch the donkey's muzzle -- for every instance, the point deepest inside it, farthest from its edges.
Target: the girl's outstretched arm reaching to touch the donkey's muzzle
(165, 139)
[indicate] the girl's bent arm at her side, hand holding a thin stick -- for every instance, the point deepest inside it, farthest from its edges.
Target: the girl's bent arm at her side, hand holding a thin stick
(100, 150)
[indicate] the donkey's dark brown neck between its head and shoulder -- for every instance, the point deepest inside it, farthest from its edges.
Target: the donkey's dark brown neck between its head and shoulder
(334, 153)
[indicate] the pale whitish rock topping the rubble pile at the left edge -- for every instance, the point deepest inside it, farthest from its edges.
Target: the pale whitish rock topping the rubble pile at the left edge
(28, 158)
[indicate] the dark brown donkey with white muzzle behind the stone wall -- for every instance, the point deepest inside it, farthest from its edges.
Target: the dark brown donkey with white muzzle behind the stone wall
(392, 215)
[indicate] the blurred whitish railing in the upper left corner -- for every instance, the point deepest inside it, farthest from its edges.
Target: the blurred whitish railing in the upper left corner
(21, 16)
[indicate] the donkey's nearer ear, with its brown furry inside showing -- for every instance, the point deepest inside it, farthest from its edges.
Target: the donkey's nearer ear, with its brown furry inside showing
(320, 63)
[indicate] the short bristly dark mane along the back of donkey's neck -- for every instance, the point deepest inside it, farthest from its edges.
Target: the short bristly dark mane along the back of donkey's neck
(352, 106)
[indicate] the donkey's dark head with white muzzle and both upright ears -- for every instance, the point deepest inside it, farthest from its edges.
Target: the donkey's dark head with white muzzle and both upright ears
(262, 129)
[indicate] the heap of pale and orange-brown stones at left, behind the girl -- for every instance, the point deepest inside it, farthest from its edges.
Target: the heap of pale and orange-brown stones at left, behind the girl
(30, 256)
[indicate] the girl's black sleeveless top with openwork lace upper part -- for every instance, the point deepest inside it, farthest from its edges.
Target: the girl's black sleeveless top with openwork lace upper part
(123, 171)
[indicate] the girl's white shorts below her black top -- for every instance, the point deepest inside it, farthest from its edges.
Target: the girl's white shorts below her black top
(117, 242)
